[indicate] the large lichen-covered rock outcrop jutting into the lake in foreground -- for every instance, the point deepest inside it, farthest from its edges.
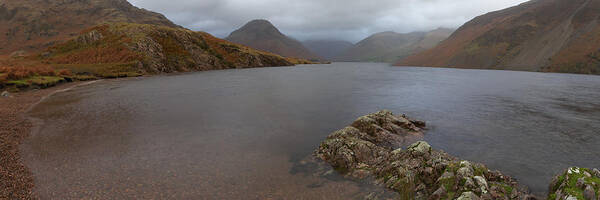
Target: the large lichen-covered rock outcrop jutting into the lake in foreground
(369, 149)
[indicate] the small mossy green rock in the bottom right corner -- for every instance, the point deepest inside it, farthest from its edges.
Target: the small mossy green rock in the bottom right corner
(575, 183)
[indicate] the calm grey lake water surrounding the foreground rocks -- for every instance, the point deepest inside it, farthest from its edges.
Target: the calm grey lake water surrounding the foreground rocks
(236, 134)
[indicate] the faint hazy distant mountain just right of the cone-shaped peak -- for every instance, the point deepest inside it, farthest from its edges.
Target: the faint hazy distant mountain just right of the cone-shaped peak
(327, 49)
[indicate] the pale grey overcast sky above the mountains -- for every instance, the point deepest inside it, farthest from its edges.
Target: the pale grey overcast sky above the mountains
(350, 20)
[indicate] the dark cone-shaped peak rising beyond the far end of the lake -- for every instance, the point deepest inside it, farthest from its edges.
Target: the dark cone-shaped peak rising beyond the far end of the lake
(262, 35)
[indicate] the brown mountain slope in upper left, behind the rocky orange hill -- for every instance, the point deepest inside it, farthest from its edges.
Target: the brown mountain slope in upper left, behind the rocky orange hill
(32, 25)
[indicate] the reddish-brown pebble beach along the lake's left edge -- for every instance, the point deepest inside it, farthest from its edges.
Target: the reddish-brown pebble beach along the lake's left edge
(17, 179)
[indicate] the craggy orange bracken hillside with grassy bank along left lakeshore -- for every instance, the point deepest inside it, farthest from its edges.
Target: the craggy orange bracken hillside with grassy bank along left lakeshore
(124, 50)
